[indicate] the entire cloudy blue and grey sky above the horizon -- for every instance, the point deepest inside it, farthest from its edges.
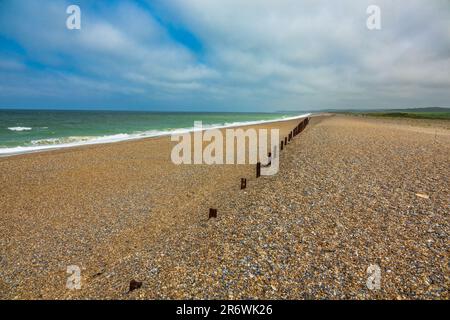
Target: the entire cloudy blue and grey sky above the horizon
(211, 55)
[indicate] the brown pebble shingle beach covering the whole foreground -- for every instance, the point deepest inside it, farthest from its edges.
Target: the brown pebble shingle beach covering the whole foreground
(351, 192)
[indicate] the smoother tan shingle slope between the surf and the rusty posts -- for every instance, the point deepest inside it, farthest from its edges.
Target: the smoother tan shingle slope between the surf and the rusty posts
(94, 205)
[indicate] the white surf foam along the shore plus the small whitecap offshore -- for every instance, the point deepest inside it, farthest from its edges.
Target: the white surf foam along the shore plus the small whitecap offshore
(65, 142)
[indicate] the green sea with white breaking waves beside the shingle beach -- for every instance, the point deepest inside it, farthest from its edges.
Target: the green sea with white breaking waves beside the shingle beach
(23, 131)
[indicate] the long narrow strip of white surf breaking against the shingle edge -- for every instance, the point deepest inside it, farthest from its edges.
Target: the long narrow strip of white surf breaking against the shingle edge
(138, 136)
